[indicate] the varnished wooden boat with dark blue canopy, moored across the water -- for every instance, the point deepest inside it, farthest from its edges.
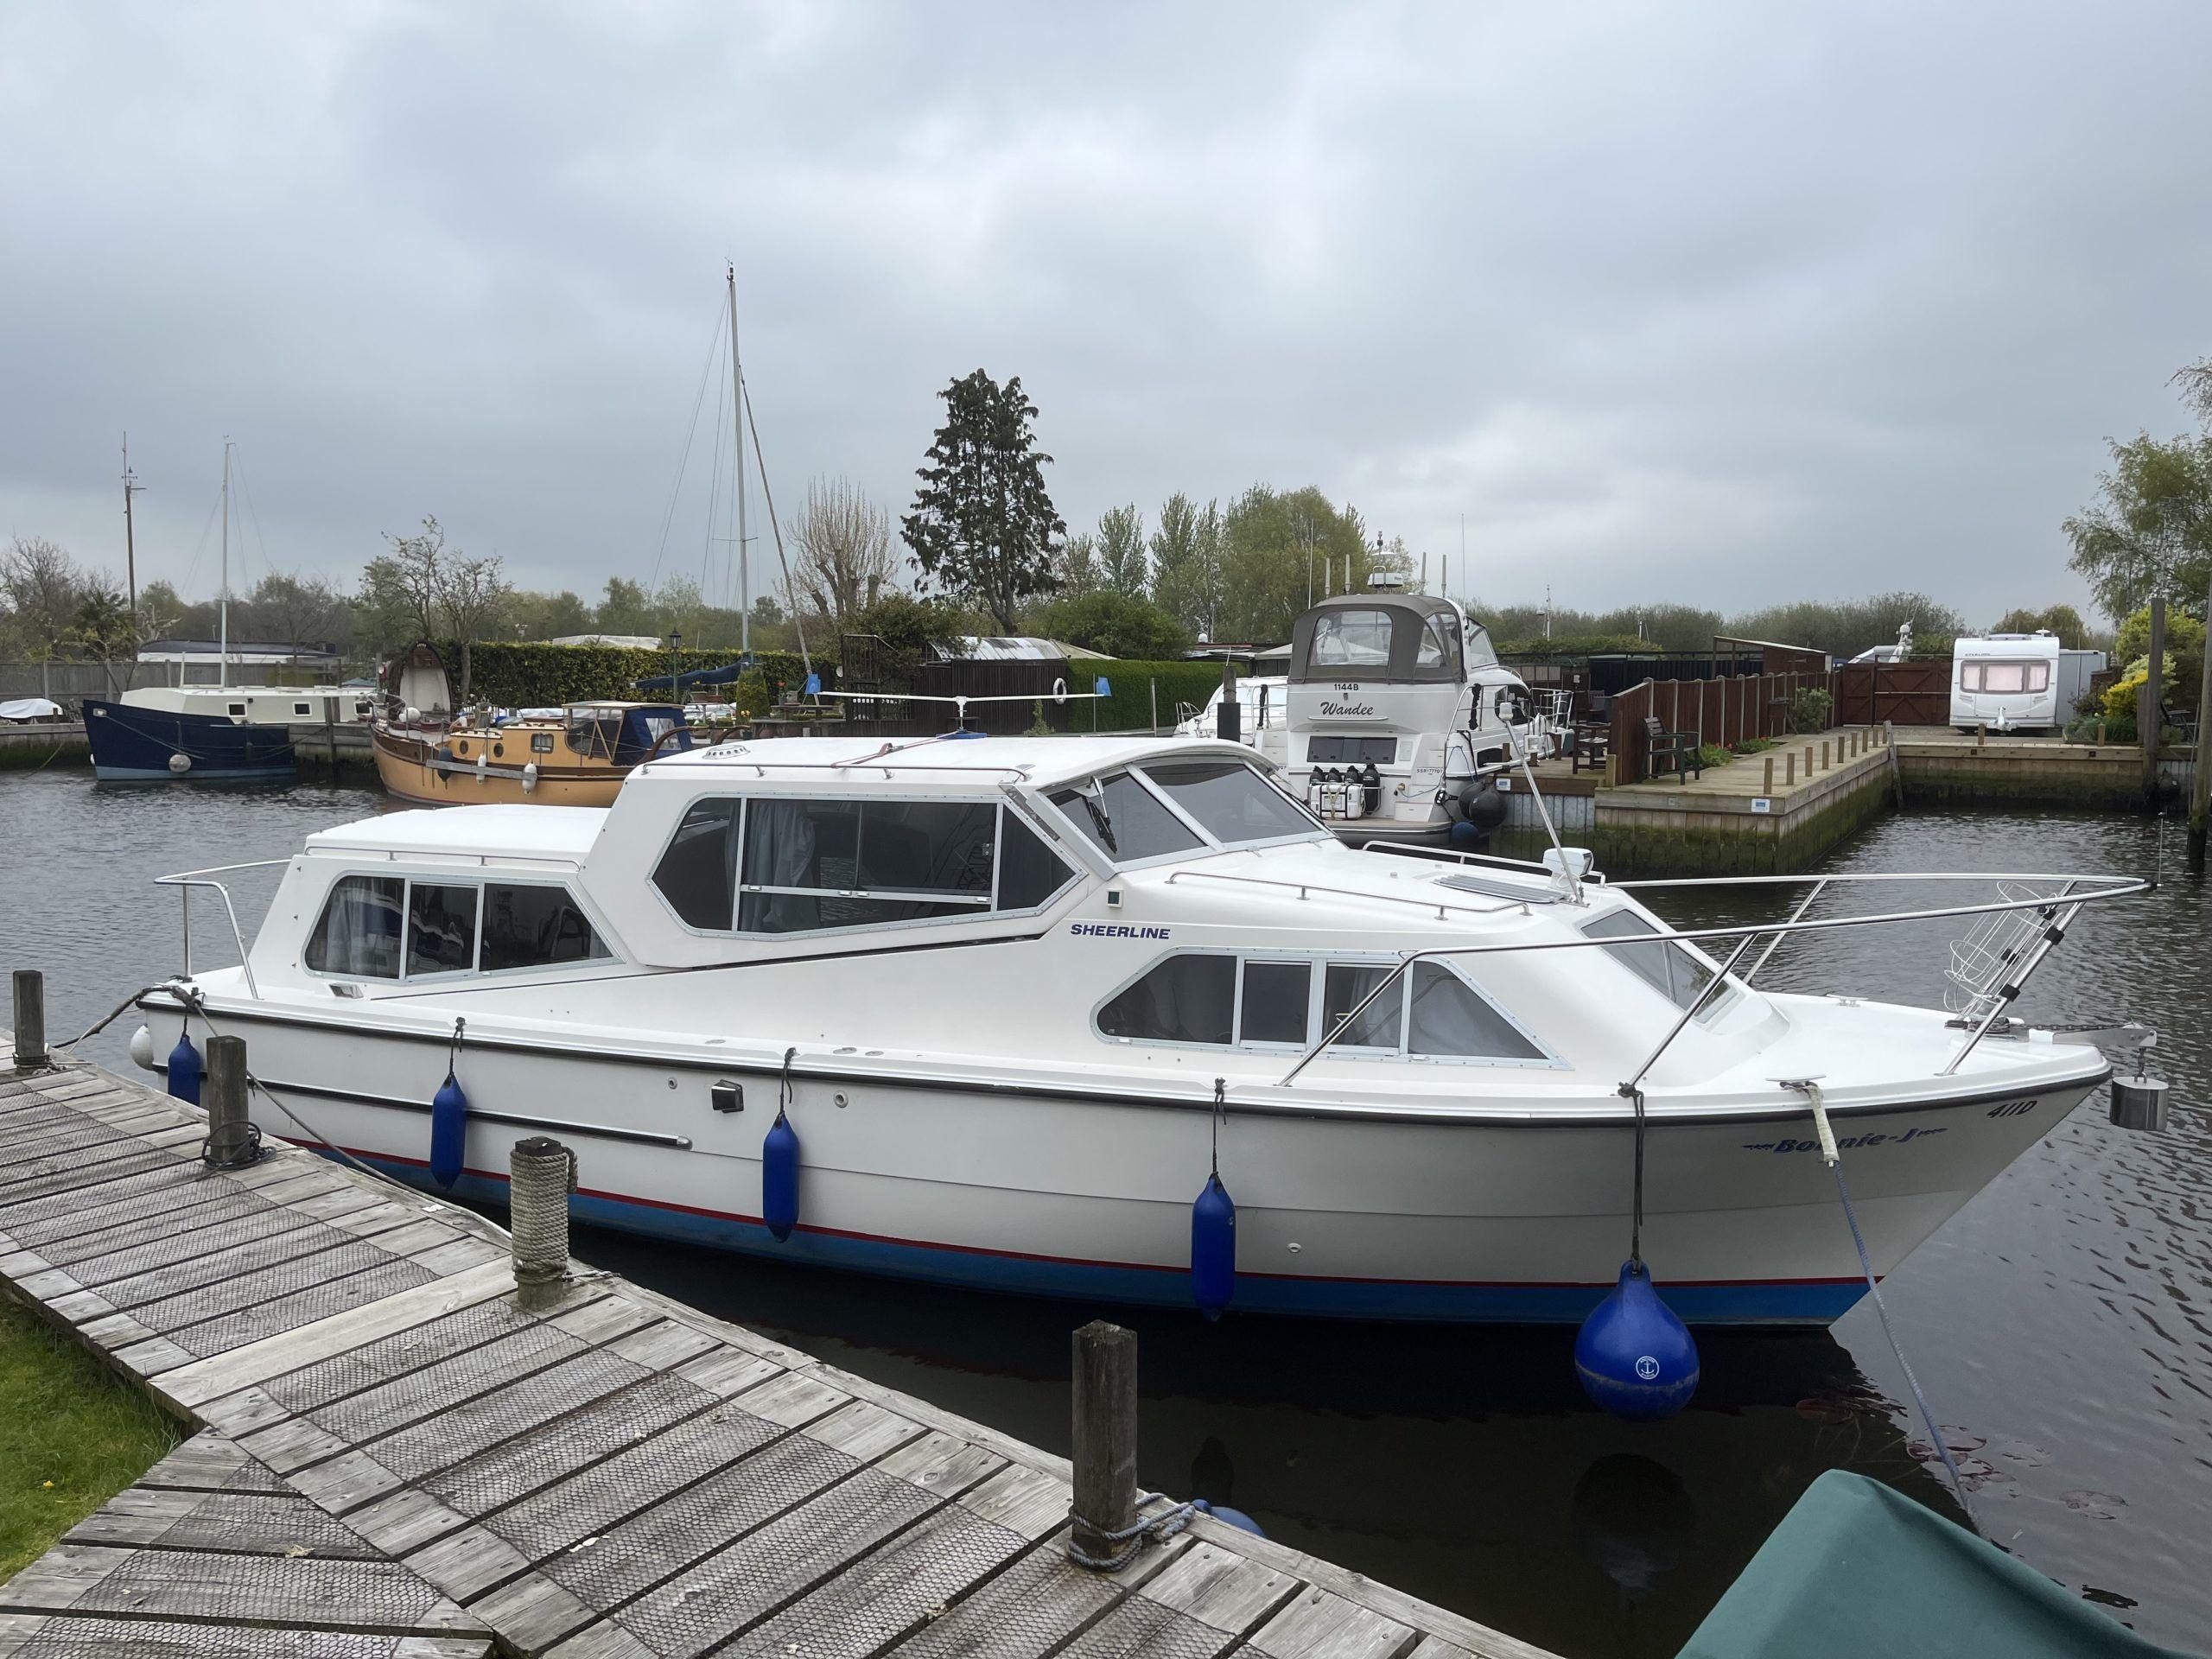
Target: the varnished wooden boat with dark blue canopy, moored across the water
(574, 758)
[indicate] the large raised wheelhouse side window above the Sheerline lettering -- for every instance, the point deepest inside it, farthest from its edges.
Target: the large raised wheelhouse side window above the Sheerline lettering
(802, 866)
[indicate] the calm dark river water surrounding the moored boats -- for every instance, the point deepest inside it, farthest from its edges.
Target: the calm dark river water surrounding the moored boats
(2060, 1324)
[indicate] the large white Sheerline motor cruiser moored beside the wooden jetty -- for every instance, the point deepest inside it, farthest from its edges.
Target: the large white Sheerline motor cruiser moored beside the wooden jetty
(1019, 999)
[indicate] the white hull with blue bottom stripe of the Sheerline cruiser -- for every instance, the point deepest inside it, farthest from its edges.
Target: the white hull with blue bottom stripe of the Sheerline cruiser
(1003, 1185)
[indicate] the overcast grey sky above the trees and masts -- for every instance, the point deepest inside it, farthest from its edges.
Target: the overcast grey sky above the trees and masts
(1709, 304)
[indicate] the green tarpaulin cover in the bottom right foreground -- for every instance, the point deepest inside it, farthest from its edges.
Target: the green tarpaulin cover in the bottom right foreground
(1859, 1569)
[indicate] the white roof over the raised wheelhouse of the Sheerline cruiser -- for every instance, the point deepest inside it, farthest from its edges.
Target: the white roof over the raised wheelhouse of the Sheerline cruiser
(1041, 762)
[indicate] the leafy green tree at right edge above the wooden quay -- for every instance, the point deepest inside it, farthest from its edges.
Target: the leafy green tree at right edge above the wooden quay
(2149, 534)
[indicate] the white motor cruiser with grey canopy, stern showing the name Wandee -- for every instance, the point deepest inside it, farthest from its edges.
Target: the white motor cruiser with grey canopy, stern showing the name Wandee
(1397, 716)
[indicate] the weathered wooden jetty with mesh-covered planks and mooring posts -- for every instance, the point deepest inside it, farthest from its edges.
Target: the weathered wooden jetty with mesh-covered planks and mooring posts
(399, 1457)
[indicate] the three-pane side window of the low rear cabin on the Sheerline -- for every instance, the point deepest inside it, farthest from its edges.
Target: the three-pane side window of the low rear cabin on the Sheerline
(450, 928)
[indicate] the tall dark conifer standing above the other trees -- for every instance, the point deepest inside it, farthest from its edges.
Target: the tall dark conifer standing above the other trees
(983, 525)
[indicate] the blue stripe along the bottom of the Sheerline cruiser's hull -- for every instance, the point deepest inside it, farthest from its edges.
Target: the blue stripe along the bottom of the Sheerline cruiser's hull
(1733, 1304)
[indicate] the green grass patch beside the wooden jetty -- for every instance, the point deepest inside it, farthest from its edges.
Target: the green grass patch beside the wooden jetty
(72, 1437)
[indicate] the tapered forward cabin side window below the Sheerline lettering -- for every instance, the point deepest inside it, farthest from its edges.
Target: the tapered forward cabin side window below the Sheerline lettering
(1220, 1001)
